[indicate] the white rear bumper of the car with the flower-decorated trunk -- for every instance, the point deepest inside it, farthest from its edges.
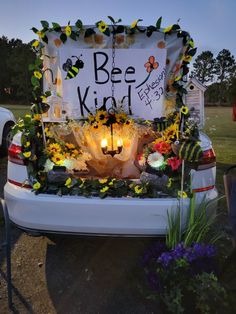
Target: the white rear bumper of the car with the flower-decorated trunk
(80, 215)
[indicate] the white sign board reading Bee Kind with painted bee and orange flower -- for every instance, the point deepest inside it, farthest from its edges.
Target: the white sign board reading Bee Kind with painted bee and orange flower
(138, 76)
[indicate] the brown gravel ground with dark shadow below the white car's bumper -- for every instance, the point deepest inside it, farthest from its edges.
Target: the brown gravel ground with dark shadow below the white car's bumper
(73, 274)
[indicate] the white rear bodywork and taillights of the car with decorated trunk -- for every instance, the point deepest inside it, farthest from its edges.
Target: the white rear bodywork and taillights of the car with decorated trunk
(111, 216)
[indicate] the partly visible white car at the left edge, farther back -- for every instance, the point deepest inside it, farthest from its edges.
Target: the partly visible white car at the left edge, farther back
(7, 120)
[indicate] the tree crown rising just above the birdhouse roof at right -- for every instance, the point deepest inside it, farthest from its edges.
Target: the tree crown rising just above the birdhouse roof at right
(204, 67)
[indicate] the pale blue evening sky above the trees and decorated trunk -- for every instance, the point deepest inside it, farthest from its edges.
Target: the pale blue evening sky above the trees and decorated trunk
(210, 22)
